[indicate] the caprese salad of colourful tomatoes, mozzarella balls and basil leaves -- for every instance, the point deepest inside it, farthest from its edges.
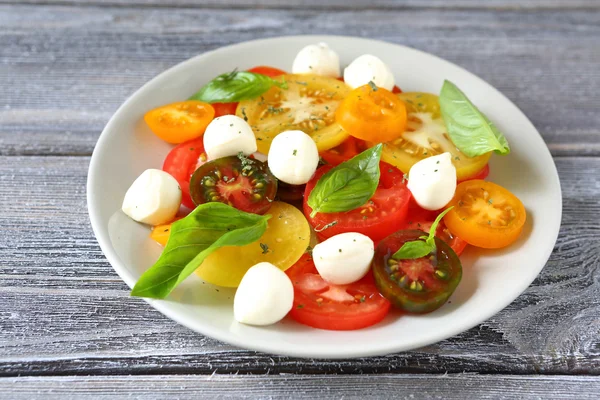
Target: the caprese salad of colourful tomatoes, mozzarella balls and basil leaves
(324, 196)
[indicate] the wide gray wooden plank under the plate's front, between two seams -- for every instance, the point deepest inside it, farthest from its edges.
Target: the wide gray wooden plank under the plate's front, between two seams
(64, 311)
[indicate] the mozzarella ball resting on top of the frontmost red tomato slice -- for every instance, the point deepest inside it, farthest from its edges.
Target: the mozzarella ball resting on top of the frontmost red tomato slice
(344, 258)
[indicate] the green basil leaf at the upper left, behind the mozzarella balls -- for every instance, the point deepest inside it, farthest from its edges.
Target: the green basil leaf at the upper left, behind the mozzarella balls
(236, 86)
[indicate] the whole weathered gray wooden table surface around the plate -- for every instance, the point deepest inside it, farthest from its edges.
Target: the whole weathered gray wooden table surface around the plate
(69, 330)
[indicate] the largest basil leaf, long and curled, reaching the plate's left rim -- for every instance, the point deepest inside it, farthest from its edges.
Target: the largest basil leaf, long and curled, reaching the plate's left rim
(207, 228)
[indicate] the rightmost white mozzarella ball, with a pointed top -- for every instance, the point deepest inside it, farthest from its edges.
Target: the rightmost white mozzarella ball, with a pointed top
(432, 181)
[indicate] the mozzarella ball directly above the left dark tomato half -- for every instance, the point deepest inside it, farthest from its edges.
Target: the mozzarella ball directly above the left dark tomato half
(228, 136)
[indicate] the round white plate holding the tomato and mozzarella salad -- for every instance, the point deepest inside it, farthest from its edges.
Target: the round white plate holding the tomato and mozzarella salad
(491, 279)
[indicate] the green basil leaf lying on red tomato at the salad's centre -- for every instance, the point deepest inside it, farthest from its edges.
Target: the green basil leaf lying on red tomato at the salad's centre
(347, 186)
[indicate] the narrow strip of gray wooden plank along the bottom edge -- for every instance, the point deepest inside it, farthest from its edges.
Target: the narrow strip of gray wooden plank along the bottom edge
(450, 387)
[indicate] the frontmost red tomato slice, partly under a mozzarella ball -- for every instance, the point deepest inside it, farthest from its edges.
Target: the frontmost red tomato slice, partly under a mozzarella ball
(323, 305)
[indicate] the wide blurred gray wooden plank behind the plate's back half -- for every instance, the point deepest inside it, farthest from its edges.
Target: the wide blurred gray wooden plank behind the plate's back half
(65, 70)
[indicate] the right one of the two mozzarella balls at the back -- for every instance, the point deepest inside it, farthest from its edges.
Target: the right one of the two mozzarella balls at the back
(368, 68)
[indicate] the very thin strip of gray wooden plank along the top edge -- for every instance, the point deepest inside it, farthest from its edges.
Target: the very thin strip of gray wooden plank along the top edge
(332, 4)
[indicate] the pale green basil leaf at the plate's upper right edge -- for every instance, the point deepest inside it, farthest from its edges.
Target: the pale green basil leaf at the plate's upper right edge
(470, 130)
